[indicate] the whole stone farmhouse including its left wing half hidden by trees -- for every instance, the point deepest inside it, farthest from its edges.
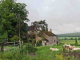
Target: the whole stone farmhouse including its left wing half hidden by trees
(49, 37)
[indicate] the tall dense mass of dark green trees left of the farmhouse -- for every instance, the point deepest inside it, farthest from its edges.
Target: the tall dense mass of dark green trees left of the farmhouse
(12, 13)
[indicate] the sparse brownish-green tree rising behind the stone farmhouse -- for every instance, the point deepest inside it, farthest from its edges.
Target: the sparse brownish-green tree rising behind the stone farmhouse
(40, 26)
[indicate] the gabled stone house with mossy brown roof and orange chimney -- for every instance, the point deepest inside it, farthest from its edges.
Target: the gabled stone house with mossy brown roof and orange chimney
(50, 38)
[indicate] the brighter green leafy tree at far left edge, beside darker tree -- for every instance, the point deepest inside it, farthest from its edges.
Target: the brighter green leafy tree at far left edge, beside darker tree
(6, 15)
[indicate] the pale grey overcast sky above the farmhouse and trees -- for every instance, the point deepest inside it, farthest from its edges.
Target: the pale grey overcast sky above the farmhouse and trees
(62, 16)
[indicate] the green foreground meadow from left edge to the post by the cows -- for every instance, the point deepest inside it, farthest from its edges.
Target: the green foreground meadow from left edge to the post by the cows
(42, 53)
